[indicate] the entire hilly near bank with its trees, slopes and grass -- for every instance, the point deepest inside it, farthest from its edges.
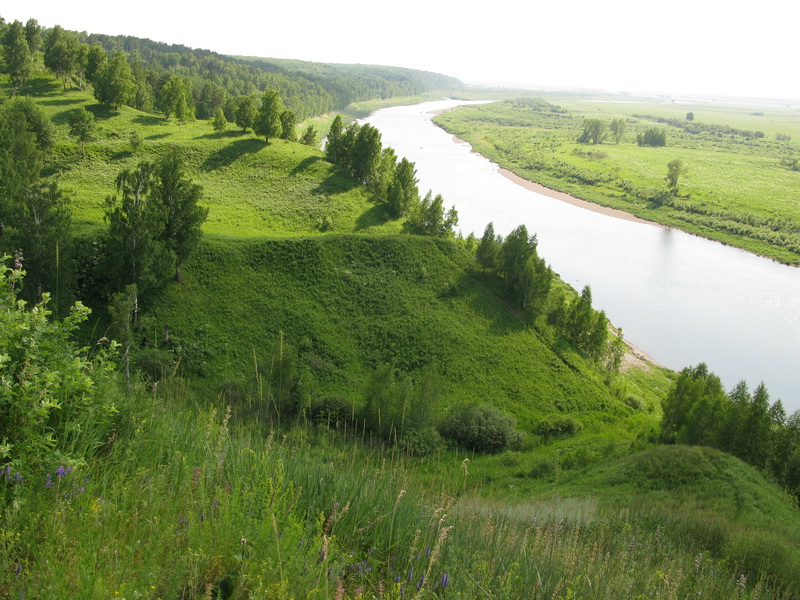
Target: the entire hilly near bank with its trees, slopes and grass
(235, 365)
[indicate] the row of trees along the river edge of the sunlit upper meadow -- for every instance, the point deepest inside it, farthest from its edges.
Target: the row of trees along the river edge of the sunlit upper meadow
(359, 151)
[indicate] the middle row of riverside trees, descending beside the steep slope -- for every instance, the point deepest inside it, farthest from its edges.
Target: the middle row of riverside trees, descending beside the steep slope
(530, 282)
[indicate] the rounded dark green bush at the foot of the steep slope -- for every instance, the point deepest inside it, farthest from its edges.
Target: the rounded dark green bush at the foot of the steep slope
(480, 427)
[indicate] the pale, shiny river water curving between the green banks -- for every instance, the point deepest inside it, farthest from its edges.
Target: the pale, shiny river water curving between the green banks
(681, 298)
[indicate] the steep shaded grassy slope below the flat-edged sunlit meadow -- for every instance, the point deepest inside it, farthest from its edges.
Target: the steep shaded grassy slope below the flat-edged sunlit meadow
(350, 304)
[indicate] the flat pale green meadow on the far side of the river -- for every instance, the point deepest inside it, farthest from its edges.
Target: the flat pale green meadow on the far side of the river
(737, 189)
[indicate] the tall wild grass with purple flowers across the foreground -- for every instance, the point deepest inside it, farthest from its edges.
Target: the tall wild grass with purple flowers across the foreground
(185, 501)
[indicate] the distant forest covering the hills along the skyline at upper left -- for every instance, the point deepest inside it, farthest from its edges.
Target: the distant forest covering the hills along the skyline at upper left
(211, 80)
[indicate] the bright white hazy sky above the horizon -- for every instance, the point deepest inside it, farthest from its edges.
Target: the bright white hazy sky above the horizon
(677, 47)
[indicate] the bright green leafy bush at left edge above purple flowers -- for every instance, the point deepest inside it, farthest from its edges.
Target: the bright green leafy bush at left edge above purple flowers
(51, 395)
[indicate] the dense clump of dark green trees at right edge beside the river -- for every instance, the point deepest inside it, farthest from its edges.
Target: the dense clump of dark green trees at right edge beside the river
(697, 411)
